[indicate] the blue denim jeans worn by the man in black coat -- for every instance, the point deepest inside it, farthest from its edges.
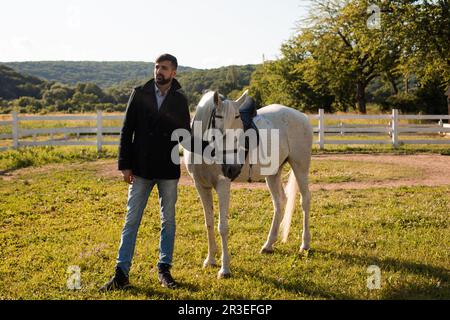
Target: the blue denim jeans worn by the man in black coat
(138, 193)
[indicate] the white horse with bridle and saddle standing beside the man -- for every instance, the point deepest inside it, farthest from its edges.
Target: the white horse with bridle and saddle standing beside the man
(295, 143)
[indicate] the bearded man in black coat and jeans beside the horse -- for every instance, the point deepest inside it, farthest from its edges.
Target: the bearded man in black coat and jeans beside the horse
(154, 111)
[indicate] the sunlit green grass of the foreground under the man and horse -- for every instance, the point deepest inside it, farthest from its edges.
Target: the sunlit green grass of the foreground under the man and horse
(55, 218)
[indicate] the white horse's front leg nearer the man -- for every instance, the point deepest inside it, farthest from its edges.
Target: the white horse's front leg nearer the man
(207, 201)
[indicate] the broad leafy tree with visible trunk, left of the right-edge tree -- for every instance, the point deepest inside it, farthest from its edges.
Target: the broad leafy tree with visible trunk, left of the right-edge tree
(342, 46)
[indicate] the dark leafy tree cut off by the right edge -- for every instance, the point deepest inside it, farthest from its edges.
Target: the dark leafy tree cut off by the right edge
(426, 49)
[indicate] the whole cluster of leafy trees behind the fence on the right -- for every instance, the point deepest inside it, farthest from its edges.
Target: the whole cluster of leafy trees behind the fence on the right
(337, 54)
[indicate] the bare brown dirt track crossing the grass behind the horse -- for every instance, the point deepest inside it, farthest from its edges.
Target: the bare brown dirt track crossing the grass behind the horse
(435, 169)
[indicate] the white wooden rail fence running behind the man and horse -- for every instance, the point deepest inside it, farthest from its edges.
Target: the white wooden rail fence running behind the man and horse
(96, 134)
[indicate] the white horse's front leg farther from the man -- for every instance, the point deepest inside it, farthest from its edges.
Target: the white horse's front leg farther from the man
(223, 192)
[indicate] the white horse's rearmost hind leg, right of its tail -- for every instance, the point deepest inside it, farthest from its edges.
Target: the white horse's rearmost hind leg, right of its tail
(301, 174)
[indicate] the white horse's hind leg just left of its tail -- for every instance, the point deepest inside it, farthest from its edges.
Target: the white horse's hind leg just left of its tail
(279, 202)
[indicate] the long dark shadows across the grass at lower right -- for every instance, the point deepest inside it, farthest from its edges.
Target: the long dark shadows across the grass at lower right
(397, 291)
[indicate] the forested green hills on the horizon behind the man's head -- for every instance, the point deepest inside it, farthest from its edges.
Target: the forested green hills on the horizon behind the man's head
(32, 94)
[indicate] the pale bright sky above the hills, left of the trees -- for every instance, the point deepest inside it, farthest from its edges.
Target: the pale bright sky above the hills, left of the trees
(200, 33)
